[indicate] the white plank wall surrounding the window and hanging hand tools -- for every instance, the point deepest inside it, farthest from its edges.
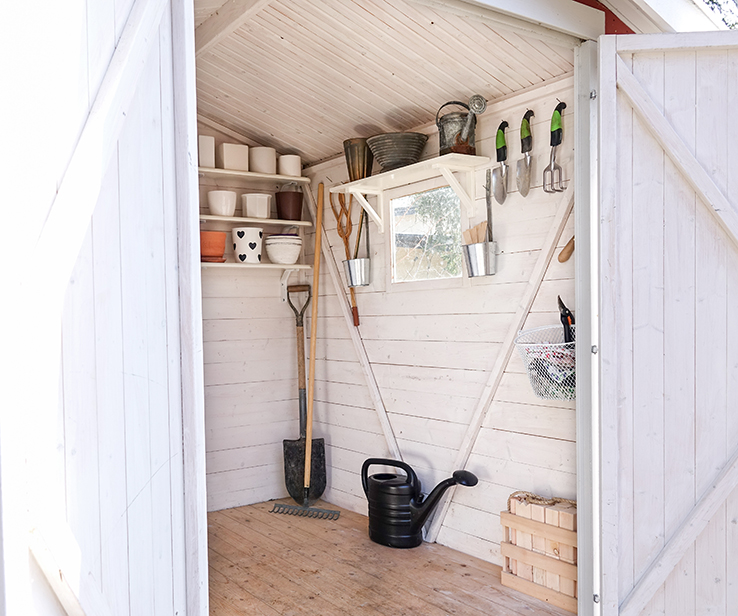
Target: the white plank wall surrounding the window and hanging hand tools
(431, 347)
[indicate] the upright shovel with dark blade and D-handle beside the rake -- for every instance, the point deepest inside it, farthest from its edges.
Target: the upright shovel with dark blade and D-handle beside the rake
(294, 450)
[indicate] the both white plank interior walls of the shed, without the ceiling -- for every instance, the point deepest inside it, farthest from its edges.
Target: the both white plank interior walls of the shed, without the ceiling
(430, 347)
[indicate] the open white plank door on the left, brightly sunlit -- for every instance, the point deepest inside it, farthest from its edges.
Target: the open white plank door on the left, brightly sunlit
(97, 408)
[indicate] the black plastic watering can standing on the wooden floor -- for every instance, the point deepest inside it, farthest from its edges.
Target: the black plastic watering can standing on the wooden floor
(397, 509)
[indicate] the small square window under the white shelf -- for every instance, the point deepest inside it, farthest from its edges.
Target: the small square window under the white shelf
(426, 236)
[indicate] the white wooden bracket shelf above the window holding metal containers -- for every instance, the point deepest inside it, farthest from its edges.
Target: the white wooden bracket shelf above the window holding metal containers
(444, 166)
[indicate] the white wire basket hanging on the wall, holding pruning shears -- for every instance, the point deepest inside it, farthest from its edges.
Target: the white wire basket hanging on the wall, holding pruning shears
(550, 362)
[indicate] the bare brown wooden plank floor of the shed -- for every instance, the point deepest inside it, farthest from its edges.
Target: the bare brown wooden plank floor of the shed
(267, 563)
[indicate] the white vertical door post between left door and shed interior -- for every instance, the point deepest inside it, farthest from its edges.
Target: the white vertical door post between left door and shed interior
(190, 307)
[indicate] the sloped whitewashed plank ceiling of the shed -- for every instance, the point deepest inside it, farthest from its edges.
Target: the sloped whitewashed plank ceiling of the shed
(303, 76)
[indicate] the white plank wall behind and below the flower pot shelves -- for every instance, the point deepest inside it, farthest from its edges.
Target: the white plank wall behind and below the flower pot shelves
(250, 371)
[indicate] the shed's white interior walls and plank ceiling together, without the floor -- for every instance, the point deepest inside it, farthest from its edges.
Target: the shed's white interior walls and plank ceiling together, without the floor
(301, 77)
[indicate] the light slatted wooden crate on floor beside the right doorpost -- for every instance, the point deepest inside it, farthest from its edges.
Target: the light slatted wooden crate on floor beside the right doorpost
(540, 551)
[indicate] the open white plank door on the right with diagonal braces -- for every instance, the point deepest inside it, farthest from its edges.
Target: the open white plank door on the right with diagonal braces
(669, 323)
